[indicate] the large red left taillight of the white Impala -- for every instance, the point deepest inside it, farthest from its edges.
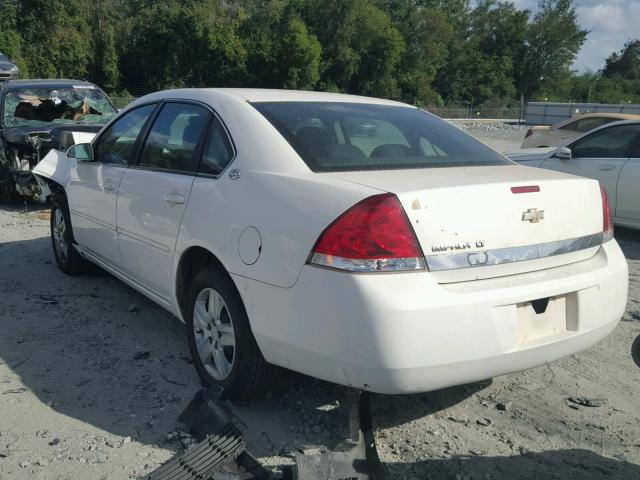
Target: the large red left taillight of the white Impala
(372, 236)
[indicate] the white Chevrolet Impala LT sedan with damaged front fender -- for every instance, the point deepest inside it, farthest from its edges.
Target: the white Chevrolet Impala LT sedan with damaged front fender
(361, 241)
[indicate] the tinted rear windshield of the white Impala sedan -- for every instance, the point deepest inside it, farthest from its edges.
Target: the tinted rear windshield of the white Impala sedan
(333, 137)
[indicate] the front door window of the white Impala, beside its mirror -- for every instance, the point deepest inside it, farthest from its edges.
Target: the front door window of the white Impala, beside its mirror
(116, 145)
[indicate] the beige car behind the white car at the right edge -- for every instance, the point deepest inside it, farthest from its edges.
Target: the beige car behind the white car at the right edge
(551, 136)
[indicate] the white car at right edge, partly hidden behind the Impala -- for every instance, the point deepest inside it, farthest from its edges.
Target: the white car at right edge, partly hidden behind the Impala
(611, 155)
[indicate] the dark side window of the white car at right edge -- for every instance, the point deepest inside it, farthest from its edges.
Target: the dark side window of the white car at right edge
(612, 142)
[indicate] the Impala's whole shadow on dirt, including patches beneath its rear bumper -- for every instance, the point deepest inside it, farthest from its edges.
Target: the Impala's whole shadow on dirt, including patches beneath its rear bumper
(93, 349)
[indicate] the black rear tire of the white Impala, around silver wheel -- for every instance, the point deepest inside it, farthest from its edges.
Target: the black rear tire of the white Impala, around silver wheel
(249, 374)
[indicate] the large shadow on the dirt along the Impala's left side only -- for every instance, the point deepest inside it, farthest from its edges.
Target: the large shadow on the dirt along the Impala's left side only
(90, 347)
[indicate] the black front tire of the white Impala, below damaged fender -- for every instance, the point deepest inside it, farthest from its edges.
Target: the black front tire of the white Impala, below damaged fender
(67, 258)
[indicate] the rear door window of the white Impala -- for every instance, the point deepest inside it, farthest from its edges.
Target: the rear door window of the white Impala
(174, 138)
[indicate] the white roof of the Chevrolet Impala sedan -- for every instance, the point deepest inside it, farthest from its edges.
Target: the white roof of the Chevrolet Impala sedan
(271, 95)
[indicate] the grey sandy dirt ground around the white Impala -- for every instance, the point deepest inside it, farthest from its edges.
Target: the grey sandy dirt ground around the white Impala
(93, 377)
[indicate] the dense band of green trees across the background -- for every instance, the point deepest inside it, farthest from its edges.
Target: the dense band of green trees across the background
(431, 52)
